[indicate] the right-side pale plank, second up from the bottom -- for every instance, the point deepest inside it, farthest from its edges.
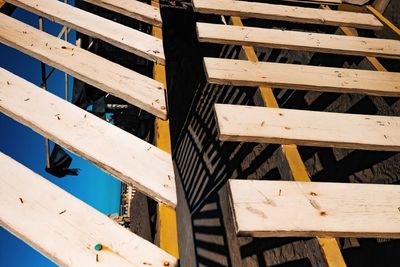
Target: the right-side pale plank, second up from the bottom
(308, 128)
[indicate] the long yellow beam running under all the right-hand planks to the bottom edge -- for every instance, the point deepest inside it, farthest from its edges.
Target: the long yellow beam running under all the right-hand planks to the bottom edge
(329, 246)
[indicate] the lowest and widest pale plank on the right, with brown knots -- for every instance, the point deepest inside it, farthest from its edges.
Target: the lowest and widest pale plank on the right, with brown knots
(286, 208)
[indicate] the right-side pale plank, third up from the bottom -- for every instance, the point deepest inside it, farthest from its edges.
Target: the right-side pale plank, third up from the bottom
(324, 79)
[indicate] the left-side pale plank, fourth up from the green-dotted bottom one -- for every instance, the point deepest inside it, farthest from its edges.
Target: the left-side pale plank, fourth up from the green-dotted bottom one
(126, 38)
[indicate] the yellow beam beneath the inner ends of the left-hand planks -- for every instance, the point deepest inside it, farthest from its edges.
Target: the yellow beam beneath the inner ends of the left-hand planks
(166, 225)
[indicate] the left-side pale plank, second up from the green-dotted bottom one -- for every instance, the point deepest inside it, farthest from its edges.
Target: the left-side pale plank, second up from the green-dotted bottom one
(117, 152)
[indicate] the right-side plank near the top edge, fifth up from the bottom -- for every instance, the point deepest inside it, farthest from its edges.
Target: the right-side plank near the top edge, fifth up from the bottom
(287, 13)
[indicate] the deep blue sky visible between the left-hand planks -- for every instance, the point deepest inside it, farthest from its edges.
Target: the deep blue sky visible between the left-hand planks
(93, 186)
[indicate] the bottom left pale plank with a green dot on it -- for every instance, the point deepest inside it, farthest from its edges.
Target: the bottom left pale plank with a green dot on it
(65, 229)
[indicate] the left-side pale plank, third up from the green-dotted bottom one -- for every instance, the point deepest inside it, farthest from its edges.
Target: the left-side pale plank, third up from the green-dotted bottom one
(133, 87)
